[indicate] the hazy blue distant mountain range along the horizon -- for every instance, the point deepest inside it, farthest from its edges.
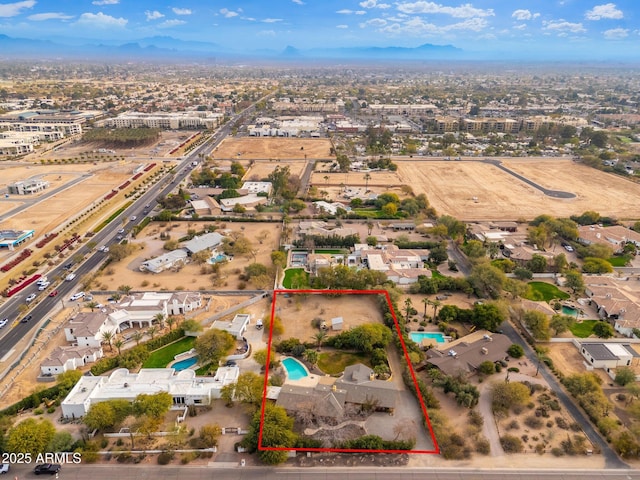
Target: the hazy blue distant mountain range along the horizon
(164, 48)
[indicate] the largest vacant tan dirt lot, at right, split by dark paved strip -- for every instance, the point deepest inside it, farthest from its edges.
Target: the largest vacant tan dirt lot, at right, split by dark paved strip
(472, 190)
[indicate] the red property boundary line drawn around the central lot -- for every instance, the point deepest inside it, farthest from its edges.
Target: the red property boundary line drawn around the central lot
(406, 356)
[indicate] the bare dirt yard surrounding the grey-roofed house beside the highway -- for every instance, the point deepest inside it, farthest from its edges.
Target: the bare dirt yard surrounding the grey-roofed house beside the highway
(191, 276)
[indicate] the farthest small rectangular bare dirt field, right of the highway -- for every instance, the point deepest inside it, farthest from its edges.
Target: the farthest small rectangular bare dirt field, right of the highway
(246, 148)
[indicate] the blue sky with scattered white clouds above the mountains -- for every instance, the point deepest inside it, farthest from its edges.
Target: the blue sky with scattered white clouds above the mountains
(517, 28)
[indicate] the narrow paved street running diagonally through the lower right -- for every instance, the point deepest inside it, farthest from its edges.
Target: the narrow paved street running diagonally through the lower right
(611, 458)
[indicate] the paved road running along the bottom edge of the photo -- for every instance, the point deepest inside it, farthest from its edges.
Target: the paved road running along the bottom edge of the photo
(228, 472)
